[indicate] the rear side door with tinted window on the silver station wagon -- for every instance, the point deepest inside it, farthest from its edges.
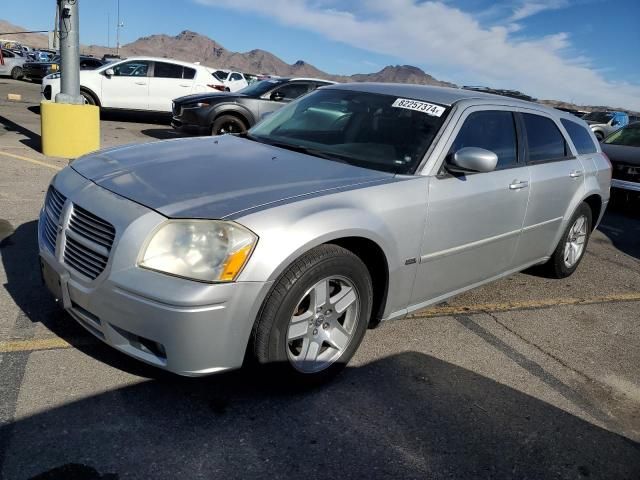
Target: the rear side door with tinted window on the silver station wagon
(557, 179)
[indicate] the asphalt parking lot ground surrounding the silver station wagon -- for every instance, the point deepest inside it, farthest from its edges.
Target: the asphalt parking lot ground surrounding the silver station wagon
(524, 378)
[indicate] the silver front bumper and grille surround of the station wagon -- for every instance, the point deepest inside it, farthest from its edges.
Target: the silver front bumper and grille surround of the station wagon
(186, 327)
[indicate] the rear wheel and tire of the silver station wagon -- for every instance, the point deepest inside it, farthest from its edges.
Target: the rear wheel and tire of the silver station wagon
(558, 266)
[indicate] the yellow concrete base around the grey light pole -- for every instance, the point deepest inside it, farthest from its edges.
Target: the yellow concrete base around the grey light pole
(69, 131)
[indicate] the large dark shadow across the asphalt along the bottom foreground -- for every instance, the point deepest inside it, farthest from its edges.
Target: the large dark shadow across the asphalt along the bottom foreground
(405, 416)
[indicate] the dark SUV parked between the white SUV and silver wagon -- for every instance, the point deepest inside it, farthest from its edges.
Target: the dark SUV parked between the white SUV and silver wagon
(218, 113)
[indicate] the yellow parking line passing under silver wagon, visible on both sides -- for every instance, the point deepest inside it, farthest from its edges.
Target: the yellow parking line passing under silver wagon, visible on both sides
(58, 343)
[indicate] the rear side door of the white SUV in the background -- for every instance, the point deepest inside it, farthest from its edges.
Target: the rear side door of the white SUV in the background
(168, 82)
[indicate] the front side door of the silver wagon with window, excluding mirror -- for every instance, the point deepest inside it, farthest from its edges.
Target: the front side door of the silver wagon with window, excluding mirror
(473, 220)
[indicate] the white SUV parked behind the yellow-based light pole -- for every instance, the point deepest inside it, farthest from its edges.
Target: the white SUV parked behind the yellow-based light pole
(140, 83)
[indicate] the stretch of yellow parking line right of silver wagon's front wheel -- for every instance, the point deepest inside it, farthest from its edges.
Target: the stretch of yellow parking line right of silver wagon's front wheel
(528, 305)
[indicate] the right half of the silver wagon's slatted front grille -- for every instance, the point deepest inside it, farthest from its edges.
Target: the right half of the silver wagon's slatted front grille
(89, 242)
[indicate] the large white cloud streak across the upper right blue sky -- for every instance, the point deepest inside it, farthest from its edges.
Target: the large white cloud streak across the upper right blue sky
(437, 35)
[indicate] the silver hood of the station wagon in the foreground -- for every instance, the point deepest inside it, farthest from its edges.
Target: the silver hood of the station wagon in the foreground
(216, 177)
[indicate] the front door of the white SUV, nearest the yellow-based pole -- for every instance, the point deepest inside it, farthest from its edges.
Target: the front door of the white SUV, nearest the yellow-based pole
(128, 87)
